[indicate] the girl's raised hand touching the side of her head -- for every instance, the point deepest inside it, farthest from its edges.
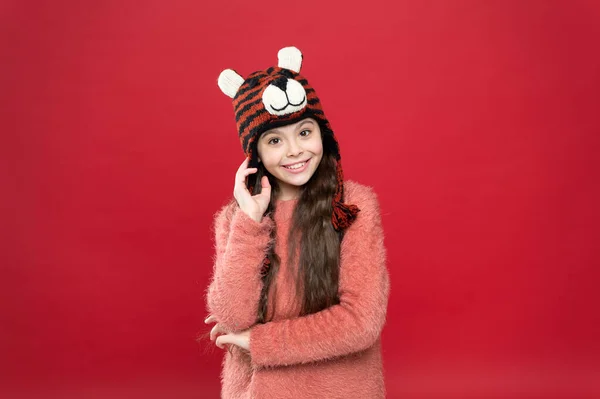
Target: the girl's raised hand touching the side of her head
(253, 205)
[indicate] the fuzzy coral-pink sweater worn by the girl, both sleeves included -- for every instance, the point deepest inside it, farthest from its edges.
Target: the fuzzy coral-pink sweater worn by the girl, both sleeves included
(334, 353)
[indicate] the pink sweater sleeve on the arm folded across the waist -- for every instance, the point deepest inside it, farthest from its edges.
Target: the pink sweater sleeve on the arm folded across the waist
(350, 326)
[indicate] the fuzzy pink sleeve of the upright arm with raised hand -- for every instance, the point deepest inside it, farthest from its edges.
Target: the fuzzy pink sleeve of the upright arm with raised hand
(241, 244)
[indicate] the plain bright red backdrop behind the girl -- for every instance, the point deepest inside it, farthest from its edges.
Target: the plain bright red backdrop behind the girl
(475, 121)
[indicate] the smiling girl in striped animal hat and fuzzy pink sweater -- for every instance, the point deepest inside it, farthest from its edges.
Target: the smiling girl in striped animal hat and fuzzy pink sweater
(300, 288)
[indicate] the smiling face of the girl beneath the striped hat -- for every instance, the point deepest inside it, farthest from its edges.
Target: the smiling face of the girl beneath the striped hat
(291, 144)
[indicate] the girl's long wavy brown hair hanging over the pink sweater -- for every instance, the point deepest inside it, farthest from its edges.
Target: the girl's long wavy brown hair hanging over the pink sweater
(317, 276)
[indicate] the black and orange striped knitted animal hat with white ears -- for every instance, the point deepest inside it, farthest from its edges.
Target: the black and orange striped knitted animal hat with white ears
(280, 96)
